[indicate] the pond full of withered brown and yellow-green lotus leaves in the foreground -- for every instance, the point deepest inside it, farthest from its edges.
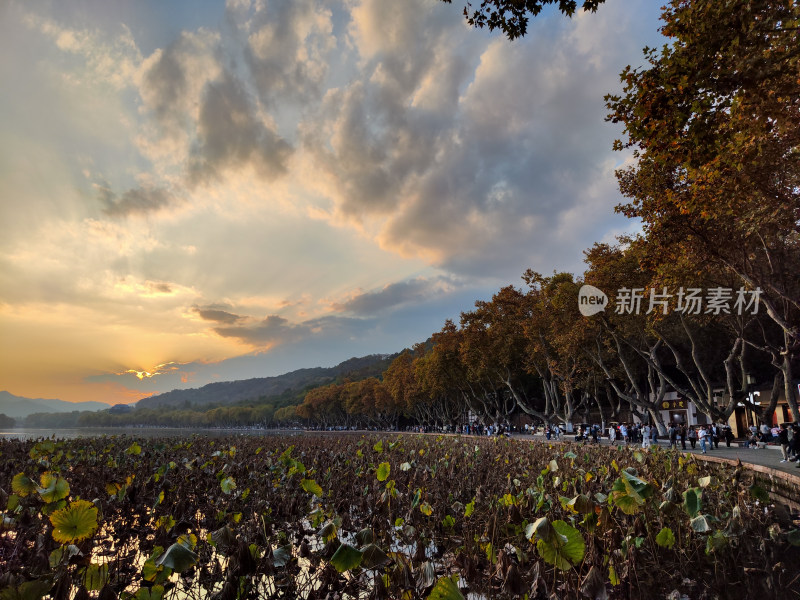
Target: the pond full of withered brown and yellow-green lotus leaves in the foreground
(407, 517)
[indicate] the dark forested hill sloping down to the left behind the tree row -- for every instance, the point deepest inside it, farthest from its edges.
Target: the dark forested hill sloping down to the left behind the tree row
(231, 392)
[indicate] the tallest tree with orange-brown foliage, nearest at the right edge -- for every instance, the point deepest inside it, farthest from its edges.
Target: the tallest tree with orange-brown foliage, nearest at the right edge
(713, 124)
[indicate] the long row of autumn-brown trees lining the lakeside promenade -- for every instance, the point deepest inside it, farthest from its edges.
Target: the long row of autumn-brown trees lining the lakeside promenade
(705, 300)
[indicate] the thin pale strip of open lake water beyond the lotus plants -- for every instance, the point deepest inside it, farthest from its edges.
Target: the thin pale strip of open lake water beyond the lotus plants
(23, 433)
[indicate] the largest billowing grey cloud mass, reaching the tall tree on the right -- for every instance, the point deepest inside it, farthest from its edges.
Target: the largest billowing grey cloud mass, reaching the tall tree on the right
(468, 150)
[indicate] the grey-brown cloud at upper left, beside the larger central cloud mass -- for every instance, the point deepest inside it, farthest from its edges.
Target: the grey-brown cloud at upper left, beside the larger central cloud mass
(206, 122)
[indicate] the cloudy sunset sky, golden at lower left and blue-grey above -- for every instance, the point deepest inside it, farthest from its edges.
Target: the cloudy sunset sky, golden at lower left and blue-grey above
(195, 191)
